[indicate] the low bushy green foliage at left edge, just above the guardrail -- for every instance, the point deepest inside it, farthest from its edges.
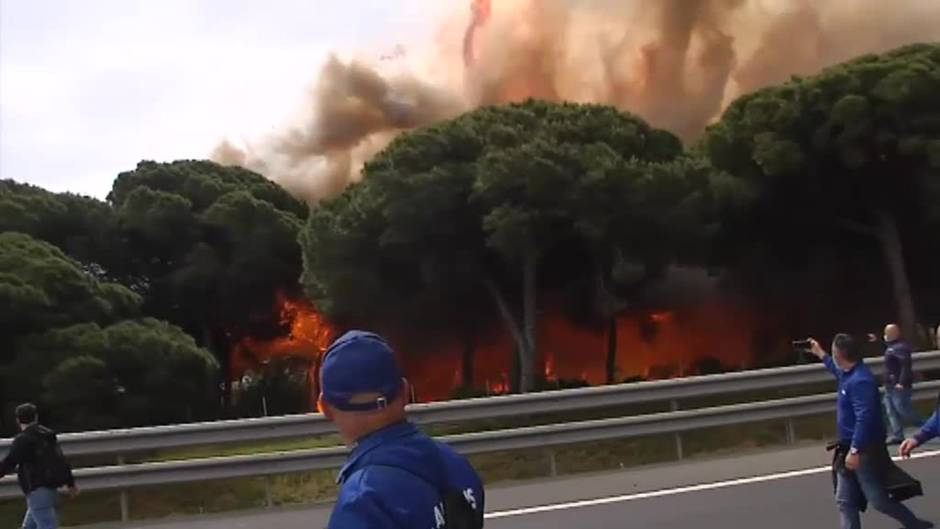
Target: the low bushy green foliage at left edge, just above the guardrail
(69, 343)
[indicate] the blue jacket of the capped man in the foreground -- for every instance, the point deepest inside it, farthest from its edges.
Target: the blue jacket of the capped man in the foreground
(393, 480)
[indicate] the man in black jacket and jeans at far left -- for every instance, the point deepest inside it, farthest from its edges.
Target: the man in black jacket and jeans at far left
(40, 469)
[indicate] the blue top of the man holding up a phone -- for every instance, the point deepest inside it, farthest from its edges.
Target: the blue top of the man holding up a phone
(858, 411)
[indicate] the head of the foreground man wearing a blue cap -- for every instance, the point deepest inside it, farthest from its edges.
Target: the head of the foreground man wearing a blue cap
(362, 388)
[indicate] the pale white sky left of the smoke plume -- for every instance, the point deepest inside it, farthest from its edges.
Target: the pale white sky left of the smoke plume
(88, 88)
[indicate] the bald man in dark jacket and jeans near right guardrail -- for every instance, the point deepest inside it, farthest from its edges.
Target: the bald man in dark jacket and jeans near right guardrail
(898, 382)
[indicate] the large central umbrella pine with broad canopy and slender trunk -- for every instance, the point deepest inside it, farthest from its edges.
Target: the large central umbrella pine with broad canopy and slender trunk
(473, 209)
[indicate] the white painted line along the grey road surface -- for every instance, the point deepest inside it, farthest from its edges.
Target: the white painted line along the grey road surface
(672, 492)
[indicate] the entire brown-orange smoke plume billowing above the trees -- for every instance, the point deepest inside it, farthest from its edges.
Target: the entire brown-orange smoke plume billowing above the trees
(677, 63)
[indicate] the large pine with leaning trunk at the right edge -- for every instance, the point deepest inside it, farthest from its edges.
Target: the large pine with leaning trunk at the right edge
(850, 157)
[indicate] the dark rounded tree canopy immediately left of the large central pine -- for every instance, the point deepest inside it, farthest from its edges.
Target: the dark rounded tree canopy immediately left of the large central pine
(210, 246)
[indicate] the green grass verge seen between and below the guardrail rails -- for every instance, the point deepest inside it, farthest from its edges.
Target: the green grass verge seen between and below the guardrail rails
(320, 486)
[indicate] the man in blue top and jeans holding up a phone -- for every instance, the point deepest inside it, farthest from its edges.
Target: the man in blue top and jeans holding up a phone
(862, 459)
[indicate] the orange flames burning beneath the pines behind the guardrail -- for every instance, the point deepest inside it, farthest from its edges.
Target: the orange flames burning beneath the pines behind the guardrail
(651, 344)
